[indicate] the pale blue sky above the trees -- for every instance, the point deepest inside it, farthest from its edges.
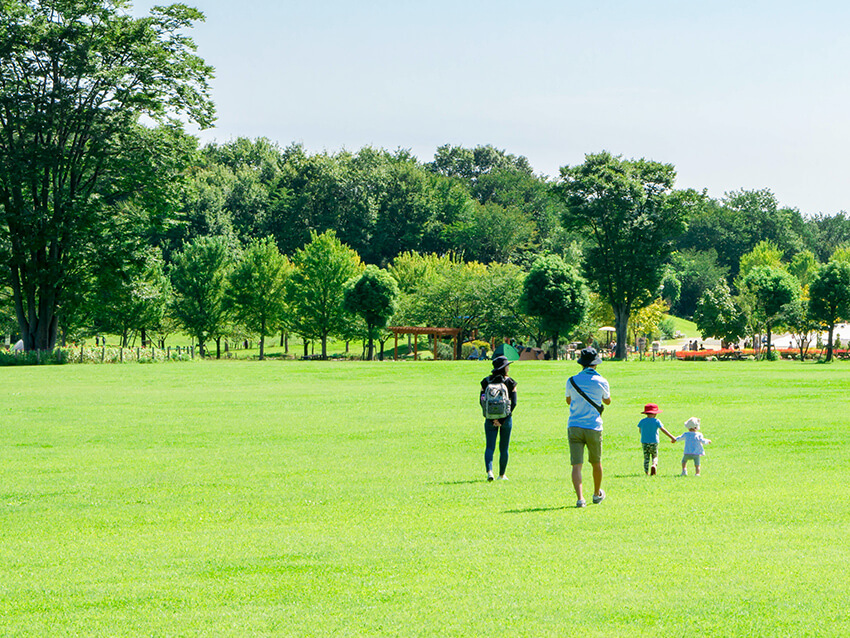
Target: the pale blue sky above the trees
(737, 95)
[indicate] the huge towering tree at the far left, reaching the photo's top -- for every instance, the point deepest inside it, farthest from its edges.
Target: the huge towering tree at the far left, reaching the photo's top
(75, 76)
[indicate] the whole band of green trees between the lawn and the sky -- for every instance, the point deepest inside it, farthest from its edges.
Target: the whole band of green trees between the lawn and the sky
(115, 220)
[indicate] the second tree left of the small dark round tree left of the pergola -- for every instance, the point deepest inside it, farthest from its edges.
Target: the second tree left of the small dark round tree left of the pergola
(257, 289)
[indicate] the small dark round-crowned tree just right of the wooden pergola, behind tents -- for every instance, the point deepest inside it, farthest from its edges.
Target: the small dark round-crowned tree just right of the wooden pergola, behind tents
(556, 293)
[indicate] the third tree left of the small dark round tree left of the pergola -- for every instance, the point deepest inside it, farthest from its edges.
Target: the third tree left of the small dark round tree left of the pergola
(199, 280)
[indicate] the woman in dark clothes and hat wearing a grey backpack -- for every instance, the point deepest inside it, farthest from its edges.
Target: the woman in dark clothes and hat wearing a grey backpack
(498, 402)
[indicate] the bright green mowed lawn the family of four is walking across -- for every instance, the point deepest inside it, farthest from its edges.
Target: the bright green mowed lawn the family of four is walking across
(348, 499)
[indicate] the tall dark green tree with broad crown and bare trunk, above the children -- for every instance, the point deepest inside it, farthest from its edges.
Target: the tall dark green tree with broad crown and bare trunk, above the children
(628, 210)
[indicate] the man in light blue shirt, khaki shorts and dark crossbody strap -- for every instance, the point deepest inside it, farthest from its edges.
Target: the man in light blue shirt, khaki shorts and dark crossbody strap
(586, 393)
